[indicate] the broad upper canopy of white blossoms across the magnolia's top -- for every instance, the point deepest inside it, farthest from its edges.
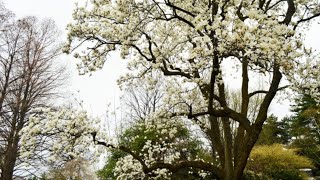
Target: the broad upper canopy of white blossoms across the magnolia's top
(141, 31)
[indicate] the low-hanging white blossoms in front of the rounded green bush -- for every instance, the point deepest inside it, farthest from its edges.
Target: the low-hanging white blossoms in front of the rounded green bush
(167, 147)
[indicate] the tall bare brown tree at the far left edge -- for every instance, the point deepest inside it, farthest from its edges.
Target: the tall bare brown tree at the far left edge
(28, 80)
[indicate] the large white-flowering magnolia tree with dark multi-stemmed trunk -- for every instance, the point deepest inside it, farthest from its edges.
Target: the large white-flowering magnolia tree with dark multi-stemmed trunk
(195, 45)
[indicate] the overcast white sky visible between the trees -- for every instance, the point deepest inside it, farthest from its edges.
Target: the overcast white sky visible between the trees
(101, 88)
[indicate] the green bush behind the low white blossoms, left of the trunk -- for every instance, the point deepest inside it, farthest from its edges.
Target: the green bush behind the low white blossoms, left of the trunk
(135, 138)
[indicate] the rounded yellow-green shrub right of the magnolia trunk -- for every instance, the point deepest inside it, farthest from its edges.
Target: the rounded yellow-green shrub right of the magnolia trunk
(277, 162)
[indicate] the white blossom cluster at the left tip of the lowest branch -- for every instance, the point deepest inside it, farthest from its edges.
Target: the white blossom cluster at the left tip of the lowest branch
(59, 135)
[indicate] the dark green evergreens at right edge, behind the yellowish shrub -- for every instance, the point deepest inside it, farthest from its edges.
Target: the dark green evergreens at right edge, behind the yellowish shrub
(301, 130)
